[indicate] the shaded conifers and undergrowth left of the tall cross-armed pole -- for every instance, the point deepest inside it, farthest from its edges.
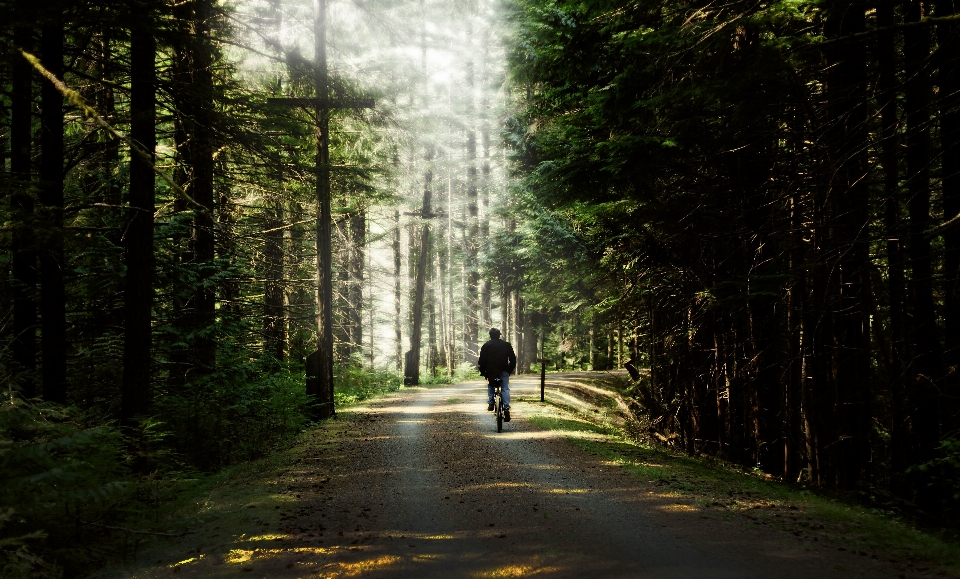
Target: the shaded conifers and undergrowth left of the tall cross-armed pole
(154, 322)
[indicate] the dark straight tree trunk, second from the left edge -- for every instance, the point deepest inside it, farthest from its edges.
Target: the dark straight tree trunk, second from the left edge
(53, 320)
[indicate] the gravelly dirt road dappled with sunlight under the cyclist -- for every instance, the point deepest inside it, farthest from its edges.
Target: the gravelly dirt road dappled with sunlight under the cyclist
(422, 485)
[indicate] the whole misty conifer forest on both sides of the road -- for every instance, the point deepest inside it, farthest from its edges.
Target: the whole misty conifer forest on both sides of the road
(224, 219)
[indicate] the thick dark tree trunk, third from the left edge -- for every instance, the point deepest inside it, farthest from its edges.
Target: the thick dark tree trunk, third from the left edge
(138, 247)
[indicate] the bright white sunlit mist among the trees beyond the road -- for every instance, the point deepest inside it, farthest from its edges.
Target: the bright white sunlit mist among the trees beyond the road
(438, 74)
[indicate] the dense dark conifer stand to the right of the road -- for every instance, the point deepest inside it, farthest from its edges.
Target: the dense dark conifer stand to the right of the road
(754, 201)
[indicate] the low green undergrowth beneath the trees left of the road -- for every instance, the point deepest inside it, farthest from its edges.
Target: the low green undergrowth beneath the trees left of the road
(75, 489)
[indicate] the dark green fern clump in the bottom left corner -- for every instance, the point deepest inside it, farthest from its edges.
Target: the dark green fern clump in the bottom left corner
(62, 481)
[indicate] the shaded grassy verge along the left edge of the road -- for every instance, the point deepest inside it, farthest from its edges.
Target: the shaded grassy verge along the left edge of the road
(242, 505)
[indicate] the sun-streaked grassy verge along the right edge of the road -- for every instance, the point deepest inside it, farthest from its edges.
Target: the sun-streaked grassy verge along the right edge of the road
(720, 490)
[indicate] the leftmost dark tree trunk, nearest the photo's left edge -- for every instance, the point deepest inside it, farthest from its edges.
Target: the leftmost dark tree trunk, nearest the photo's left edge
(24, 257)
